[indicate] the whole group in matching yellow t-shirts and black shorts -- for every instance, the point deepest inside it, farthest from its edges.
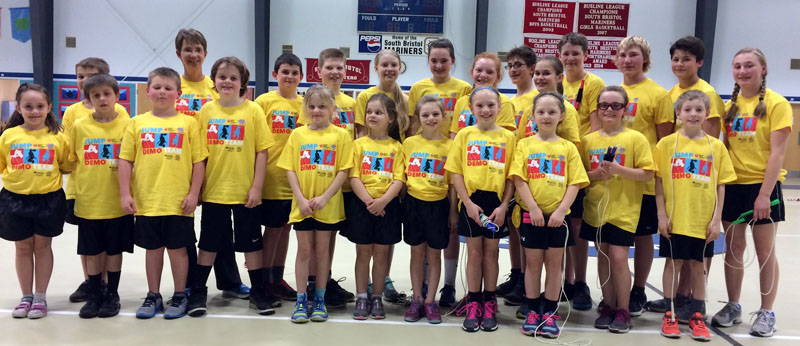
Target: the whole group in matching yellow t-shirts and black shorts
(566, 161)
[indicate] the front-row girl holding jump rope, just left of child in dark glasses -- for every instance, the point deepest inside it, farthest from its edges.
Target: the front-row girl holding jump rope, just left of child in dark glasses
(548, 173)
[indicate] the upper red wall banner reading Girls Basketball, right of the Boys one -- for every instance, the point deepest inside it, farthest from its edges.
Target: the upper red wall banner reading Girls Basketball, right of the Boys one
(603, 19)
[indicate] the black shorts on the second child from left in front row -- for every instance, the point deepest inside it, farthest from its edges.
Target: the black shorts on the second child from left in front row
(112, 236)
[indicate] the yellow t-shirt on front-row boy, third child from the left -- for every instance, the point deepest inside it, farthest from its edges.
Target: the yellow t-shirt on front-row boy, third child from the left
(162, 172)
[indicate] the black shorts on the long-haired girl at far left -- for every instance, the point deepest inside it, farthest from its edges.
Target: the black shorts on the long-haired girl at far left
(22, 216)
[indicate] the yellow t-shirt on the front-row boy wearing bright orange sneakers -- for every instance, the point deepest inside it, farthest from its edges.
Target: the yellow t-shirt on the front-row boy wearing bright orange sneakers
(689, 176)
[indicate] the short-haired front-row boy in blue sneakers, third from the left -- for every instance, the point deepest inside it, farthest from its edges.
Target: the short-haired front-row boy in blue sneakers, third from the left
(170, 163)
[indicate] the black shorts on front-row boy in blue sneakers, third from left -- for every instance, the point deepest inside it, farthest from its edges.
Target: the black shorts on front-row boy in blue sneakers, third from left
(170, 231)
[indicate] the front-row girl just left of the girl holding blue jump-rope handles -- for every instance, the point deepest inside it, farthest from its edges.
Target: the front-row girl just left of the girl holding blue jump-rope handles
(427, 213)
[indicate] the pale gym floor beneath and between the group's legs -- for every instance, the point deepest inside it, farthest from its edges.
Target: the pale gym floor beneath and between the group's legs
(229, 321)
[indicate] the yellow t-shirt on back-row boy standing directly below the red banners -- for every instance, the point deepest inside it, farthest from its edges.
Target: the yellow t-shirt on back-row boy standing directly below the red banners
(589, 88)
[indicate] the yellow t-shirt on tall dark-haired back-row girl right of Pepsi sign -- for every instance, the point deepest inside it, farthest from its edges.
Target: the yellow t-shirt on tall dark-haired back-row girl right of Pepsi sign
(449, 92)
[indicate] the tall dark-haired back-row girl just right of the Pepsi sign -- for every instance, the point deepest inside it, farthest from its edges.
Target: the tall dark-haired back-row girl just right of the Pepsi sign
(441, 57)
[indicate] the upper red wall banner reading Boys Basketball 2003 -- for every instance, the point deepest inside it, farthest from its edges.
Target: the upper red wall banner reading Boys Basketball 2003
(548, 17)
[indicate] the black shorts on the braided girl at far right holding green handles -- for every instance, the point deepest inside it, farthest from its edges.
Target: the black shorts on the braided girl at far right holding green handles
(740, 198)
